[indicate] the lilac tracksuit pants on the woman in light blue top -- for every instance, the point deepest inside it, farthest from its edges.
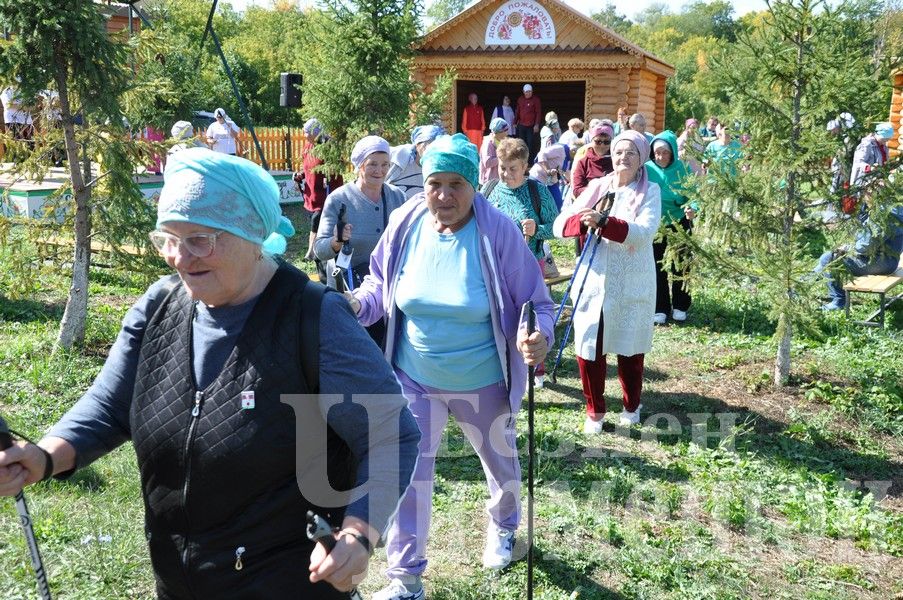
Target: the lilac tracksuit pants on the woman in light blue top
(485, 418)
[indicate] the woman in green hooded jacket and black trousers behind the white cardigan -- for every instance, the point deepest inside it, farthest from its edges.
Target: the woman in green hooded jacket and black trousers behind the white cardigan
(669, 172)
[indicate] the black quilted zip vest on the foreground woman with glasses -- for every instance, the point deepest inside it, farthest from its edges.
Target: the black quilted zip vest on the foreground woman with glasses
(216, 478)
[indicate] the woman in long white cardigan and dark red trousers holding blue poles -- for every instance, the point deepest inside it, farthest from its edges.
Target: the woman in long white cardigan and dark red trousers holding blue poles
(614, 315)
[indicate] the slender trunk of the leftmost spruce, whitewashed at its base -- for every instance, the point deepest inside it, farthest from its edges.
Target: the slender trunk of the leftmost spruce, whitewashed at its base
(72, 326)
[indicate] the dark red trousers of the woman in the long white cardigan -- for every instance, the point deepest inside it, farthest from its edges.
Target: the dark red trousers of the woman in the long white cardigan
(592, 375)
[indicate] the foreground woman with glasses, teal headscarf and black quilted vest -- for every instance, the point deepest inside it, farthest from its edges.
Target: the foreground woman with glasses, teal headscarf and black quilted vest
(197, 380)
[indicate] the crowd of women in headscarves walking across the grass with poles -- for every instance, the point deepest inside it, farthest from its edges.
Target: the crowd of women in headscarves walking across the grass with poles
(214, 374)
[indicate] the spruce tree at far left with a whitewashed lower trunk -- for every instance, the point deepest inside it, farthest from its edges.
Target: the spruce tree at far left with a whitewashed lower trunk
(69, 51)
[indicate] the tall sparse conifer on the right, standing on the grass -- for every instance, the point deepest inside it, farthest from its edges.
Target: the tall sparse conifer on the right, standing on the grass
(807, 63)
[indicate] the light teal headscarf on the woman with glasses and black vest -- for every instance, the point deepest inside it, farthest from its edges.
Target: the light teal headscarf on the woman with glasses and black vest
(224, 192)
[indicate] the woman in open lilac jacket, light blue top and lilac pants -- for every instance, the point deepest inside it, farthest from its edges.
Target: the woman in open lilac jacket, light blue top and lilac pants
(451, 274)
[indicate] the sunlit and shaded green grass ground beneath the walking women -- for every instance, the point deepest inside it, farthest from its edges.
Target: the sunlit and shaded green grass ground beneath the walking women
(800, 495)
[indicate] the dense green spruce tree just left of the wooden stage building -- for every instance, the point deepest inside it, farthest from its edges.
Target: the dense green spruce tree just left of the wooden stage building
(362, 85)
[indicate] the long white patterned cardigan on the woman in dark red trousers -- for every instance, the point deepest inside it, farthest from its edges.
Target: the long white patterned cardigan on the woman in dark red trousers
(620, 283)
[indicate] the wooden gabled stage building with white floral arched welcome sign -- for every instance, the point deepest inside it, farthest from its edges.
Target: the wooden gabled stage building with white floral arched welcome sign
(577, 67)
